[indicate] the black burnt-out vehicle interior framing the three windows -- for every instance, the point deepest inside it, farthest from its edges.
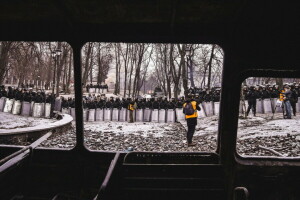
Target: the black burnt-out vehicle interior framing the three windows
(259, 38)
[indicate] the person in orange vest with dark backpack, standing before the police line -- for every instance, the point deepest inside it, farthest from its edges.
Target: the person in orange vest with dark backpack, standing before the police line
(190, 108)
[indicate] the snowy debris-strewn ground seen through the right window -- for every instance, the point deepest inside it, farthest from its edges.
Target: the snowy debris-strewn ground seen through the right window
(281, 135)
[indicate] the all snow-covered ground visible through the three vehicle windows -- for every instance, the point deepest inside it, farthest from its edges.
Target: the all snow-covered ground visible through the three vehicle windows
(281, 135)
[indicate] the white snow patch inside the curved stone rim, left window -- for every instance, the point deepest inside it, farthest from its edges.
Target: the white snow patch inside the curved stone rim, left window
(10, 121)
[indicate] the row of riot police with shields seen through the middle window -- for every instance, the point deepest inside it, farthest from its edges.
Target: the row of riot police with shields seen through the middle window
(146, 110)
